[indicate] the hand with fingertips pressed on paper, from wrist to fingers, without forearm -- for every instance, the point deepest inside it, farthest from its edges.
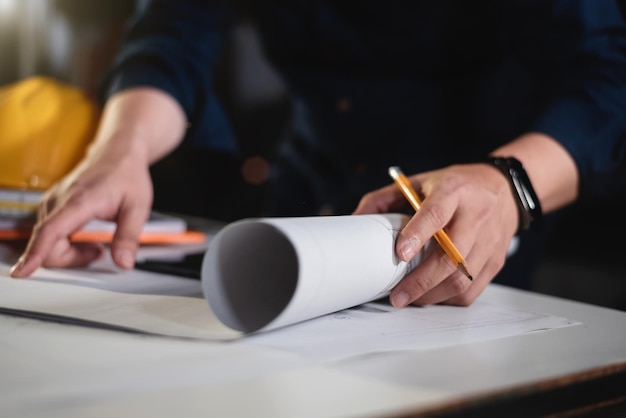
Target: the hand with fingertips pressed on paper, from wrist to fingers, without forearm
(112, 189)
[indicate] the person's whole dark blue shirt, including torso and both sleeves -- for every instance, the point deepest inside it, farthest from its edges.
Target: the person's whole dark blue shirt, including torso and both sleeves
(420, 84)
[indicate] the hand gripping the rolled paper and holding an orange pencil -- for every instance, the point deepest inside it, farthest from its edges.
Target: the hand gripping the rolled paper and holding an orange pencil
(475, 205)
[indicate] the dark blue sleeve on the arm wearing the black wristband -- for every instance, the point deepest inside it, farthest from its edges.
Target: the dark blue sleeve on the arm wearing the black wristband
(576, 50)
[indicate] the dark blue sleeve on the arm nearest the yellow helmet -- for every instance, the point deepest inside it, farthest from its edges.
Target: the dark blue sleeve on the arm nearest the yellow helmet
(175, 46)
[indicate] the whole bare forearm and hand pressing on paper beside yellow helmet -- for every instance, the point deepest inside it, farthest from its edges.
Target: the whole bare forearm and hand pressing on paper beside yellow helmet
(111, 183)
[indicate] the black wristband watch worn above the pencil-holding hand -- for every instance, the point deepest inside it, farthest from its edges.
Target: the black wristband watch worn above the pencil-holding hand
(527, 202)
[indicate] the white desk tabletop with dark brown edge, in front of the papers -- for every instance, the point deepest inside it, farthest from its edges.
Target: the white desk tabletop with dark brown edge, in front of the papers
(52, 370)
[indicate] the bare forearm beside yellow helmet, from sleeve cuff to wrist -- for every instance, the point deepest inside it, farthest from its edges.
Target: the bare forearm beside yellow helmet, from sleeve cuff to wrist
(141, 122)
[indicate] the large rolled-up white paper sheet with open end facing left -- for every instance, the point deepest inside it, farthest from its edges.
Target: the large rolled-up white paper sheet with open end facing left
(264, 273)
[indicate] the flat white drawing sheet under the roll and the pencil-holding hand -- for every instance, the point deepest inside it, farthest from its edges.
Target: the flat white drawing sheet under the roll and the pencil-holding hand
(379, 327)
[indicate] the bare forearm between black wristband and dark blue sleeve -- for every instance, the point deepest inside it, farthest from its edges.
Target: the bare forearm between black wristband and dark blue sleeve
(551, 169)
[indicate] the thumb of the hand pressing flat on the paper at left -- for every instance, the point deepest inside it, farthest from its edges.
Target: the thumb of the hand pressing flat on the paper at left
(125, 242)
